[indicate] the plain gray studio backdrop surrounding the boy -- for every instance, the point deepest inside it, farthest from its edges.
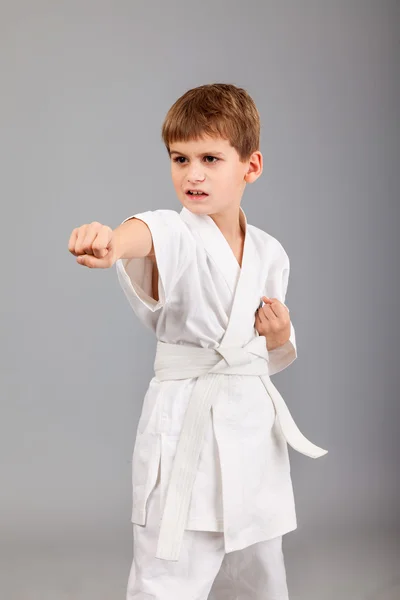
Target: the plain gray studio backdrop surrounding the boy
(84, 89)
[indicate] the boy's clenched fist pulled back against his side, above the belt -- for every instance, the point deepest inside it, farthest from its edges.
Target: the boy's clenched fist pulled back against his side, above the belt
(273, 322)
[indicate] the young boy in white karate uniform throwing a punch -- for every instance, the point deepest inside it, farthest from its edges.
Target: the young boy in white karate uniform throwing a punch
(212, 492)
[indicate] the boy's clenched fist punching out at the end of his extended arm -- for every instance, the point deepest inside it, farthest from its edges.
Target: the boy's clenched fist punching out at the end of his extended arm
(93, 245)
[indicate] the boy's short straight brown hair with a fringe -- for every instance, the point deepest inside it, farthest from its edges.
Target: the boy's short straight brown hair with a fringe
(218, 110)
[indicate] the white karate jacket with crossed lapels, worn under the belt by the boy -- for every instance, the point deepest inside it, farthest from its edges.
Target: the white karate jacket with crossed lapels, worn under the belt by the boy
(242, 484)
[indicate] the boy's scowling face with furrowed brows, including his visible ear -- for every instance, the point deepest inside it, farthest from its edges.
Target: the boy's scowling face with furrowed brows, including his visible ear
(211, 165)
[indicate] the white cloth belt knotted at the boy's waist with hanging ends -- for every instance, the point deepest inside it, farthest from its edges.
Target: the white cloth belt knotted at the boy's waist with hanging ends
(175, 361)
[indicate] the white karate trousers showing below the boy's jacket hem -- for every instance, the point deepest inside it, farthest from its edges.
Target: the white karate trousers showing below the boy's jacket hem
(204, 571)
